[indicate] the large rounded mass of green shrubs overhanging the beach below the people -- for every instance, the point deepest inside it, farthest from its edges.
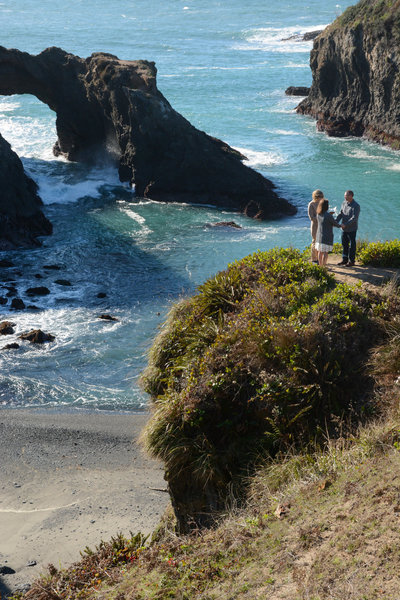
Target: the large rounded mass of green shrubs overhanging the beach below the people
(268, 355)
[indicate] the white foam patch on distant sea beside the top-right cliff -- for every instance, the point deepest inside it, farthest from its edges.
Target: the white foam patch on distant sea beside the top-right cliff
(275, 39)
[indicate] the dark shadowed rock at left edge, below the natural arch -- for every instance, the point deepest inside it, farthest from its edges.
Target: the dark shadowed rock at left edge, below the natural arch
(21, 218)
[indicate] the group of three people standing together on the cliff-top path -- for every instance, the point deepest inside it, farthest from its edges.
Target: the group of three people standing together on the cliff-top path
(323, 222)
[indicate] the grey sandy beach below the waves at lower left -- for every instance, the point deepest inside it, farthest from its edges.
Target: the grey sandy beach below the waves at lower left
(67, 481)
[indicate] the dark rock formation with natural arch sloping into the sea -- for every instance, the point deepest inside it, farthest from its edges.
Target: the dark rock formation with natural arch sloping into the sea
(106, 104)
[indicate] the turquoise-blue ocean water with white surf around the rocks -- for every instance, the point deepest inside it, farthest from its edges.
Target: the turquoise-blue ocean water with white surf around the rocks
(224, 66)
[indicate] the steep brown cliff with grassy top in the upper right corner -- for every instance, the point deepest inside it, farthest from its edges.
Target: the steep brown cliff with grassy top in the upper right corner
(355, 64)
